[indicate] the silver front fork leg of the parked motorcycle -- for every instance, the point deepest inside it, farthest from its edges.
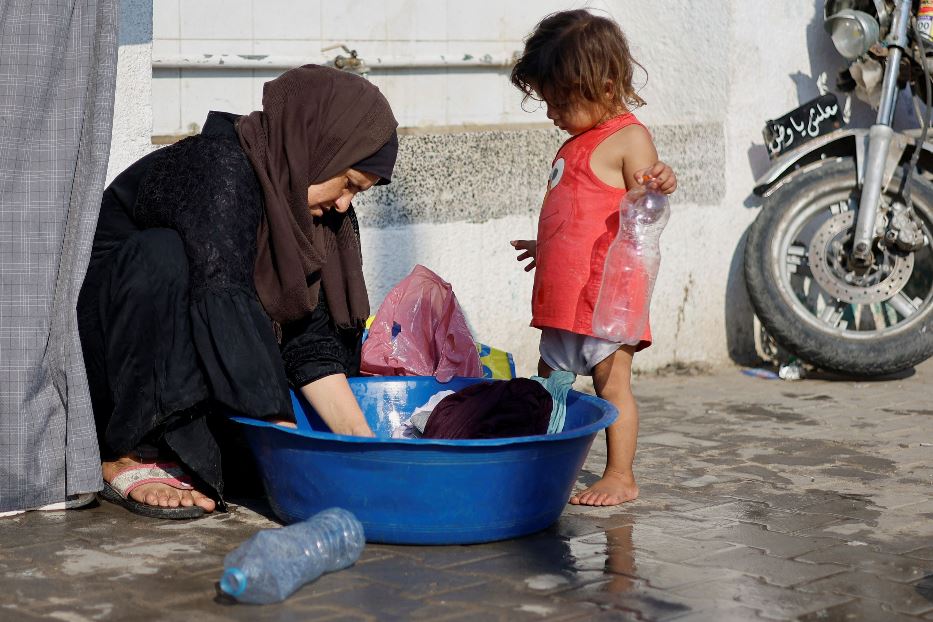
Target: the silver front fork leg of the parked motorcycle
(879, 141)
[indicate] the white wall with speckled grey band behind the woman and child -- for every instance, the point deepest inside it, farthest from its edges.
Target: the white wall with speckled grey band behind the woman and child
(473, 164)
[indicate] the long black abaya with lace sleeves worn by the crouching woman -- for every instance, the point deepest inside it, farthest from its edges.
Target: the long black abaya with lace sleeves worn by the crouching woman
(174, 335)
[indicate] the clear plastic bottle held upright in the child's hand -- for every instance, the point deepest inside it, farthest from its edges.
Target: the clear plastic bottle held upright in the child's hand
(632, 262)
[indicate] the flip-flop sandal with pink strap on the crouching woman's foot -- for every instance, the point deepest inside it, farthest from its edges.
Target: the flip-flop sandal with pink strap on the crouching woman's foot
(129, 479)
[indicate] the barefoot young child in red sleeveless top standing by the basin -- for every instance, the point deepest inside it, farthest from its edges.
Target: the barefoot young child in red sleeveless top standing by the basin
(580, 66)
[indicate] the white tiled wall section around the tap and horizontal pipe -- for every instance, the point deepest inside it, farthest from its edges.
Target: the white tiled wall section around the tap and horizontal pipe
(377, 29)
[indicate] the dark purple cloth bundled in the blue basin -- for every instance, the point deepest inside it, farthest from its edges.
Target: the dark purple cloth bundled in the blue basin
(499, 409)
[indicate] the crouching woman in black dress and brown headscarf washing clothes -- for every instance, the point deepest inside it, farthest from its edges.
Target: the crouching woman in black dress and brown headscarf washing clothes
(225, 268)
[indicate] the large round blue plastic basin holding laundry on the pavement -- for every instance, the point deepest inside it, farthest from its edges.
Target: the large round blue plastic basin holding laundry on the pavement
(423, 491)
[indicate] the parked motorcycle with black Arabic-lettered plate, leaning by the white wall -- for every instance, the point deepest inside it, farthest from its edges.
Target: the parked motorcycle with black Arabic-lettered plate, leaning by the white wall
(838, 263)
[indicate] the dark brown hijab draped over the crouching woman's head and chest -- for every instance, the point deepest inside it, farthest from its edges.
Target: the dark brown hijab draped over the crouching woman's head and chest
(315, 123)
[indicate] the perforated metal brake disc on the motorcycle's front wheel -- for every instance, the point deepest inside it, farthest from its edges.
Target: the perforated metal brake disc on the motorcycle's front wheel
(828, 266)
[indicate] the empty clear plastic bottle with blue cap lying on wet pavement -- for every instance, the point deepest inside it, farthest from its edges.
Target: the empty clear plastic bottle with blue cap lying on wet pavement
(273, 563)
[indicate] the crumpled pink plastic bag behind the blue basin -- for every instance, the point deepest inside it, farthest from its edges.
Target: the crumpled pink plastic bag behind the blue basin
(419, 330)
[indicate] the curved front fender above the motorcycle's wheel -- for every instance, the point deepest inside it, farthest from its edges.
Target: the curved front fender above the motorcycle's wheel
(847, 142)
